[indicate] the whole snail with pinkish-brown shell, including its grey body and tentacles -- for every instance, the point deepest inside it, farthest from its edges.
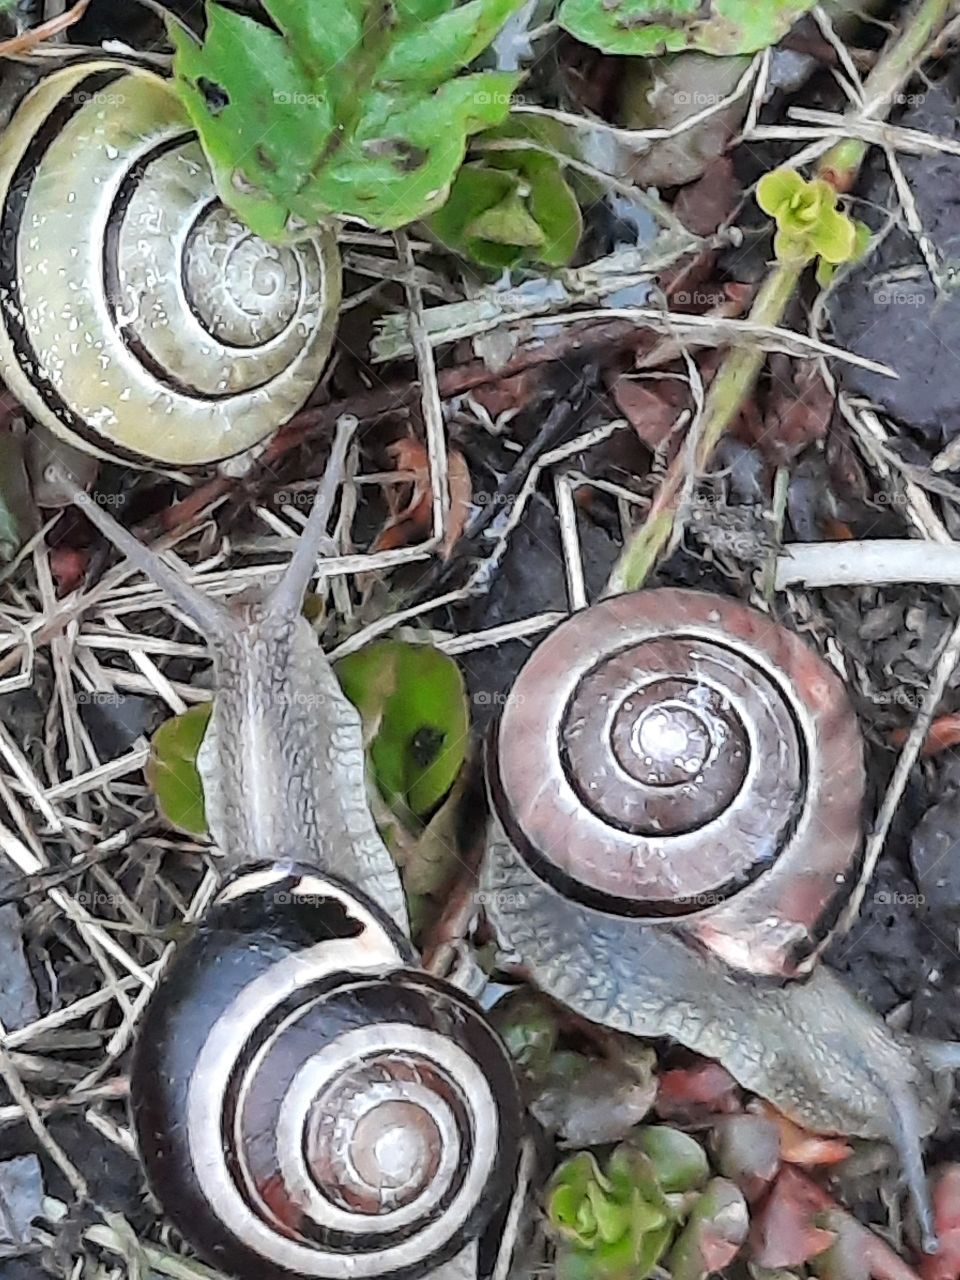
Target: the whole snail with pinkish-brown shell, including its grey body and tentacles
(676, 787)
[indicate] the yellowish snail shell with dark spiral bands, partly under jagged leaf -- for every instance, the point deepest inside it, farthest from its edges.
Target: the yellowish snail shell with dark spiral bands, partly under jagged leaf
(139, 319)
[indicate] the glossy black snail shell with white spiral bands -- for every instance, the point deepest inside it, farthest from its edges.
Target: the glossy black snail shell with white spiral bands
(308, 1105)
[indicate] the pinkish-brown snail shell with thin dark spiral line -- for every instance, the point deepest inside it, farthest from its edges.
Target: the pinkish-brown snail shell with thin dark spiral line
(671, 755)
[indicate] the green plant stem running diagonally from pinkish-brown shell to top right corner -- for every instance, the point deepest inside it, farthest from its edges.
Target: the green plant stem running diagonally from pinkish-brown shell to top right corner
(738, 374)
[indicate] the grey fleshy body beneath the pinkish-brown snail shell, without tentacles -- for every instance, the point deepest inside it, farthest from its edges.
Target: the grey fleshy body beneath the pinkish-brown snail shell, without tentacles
(810, 1046)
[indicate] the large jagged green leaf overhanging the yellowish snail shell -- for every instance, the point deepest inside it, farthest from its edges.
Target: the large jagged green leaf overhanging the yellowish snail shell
(344, 109)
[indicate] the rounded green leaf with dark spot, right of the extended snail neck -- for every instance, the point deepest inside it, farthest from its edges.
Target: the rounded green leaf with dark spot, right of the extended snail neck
(417, 696)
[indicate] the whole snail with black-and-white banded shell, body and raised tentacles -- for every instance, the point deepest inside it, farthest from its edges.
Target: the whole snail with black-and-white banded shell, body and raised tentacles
(307, 1103)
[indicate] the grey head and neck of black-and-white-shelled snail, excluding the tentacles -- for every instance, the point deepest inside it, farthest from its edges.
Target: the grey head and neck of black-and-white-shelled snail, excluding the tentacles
(282, 761)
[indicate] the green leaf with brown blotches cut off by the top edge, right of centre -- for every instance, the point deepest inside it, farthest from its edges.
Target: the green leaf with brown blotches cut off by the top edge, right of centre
(653, 28)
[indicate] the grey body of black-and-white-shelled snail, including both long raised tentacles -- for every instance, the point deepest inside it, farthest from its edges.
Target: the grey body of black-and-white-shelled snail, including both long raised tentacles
(282, 761)
